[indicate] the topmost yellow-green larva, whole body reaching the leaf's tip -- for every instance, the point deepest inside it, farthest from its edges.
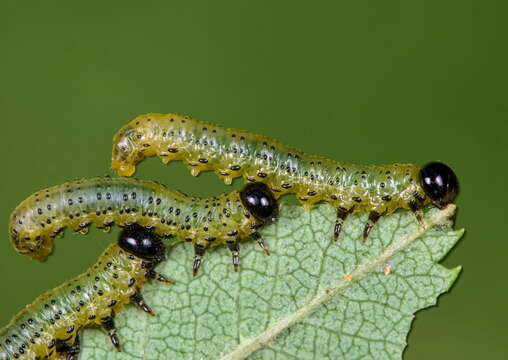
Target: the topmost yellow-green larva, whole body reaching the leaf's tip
(231, 153)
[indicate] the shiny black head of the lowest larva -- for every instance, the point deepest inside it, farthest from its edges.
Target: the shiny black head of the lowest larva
(142, 243)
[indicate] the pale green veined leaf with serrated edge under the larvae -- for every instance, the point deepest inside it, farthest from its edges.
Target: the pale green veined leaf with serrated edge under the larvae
(313, 298)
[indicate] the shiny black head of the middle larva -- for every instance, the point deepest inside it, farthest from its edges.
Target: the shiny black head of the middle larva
(259, 200)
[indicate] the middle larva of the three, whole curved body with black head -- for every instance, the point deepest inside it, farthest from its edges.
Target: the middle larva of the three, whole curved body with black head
(205, 222)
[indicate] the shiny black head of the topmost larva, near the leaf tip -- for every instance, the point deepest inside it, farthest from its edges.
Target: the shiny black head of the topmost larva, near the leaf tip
(439, 183)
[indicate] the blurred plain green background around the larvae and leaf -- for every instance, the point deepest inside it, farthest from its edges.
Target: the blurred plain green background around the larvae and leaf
(362, 81)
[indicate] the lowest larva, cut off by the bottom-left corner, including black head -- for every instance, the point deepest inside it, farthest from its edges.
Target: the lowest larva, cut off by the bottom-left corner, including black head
(48, 328)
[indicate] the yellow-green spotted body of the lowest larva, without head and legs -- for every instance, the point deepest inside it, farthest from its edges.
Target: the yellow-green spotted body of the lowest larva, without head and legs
(59, 314)
